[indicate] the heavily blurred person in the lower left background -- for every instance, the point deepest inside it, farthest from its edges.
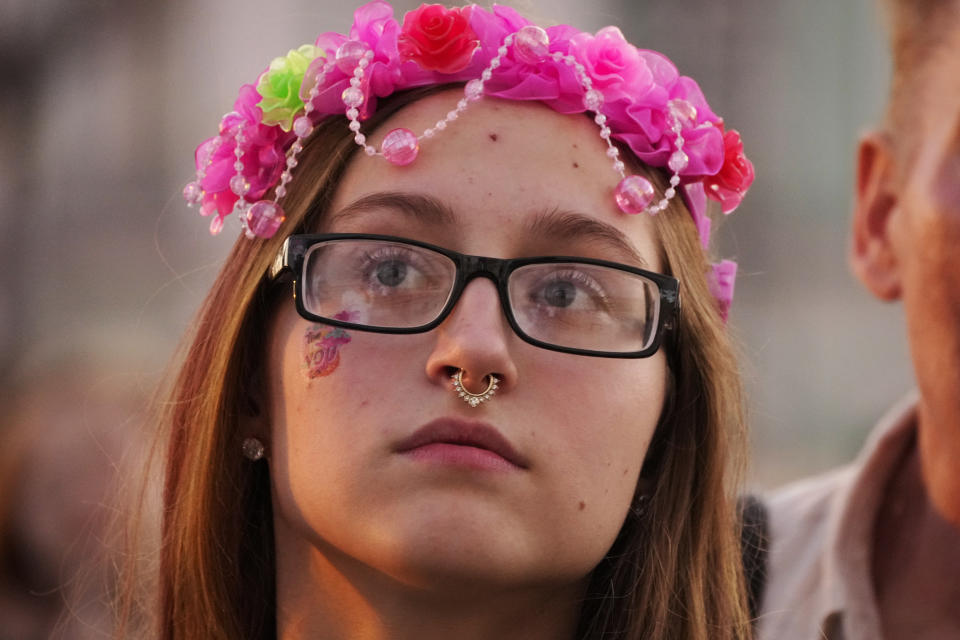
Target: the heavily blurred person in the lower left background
(67, 431)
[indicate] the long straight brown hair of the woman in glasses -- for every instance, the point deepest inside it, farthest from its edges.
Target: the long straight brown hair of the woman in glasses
(673, 572)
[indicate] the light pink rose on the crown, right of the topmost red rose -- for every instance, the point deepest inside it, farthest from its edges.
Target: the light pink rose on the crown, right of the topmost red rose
(614, 65)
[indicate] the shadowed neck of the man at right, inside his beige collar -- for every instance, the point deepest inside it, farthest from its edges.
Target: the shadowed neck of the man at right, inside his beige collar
(916, 561)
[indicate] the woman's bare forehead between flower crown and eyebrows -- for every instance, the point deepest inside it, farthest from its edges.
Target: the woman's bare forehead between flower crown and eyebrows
(498, 165)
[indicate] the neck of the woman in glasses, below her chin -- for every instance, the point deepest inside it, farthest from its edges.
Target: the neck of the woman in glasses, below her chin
(324, 594)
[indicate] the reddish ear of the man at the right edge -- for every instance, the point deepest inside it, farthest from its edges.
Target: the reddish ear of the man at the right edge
(872, 255)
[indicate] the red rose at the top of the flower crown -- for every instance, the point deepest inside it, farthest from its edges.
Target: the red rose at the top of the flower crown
(437, 38)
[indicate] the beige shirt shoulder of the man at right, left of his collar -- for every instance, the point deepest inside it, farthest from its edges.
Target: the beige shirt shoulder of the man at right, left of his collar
(802, 517)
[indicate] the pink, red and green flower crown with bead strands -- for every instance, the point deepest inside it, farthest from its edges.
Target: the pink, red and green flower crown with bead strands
(636, 97)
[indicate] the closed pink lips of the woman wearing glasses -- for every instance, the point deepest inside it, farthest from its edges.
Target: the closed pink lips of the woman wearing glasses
(457, 442)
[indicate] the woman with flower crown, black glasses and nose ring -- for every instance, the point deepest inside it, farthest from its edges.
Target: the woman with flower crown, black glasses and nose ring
(333, 469)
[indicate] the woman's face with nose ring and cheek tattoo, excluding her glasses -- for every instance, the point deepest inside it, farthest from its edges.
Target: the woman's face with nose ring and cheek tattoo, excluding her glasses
(513, 180)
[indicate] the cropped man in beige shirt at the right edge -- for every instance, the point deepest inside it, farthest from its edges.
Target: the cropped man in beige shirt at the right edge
(873, 550)
